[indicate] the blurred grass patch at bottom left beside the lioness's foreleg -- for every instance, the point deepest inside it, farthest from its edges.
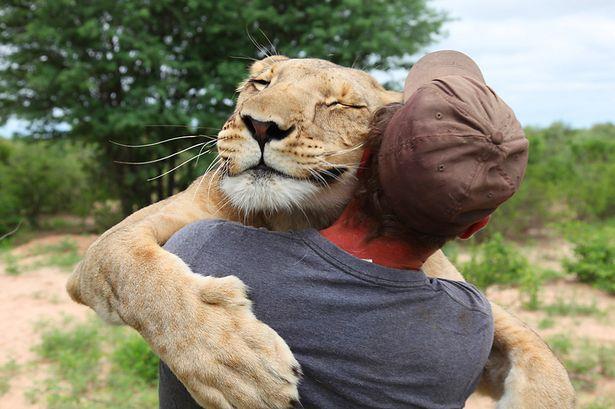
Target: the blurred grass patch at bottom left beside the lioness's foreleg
(94, 366)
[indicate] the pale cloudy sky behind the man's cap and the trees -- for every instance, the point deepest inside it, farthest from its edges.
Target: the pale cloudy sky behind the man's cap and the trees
(550, 60)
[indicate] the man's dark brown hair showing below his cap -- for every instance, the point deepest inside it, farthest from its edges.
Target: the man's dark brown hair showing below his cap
(374, 205)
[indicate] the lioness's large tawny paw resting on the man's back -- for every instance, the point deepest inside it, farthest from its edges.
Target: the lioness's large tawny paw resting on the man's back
(229, 359)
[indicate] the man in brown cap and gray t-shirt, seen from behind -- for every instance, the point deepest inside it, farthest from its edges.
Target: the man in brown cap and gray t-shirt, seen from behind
(369, 329)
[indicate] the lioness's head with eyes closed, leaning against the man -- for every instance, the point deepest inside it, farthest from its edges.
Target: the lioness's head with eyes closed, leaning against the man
(294, 142)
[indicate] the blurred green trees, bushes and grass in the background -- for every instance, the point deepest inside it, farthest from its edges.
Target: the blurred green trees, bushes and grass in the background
(86, 74)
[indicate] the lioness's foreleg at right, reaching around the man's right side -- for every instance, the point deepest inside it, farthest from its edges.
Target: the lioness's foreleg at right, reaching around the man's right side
(522, 372)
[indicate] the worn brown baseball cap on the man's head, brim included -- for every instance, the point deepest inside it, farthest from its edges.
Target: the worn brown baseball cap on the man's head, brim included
(454, 152)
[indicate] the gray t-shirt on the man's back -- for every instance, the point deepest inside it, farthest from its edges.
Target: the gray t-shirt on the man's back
(366, 336)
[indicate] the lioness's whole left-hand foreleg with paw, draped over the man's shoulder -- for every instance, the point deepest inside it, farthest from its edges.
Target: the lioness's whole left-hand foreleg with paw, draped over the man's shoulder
(202, 327)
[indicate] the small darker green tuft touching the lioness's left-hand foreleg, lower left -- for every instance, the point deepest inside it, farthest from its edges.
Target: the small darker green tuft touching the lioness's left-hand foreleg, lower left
(133, 356)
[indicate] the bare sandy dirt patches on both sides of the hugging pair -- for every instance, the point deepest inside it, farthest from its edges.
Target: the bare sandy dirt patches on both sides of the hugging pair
(38, 294)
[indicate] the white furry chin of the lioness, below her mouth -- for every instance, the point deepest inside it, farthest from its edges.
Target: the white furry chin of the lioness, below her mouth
(272, 193)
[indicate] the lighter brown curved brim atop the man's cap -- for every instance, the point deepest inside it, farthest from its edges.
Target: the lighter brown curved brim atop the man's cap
(440, 64)
